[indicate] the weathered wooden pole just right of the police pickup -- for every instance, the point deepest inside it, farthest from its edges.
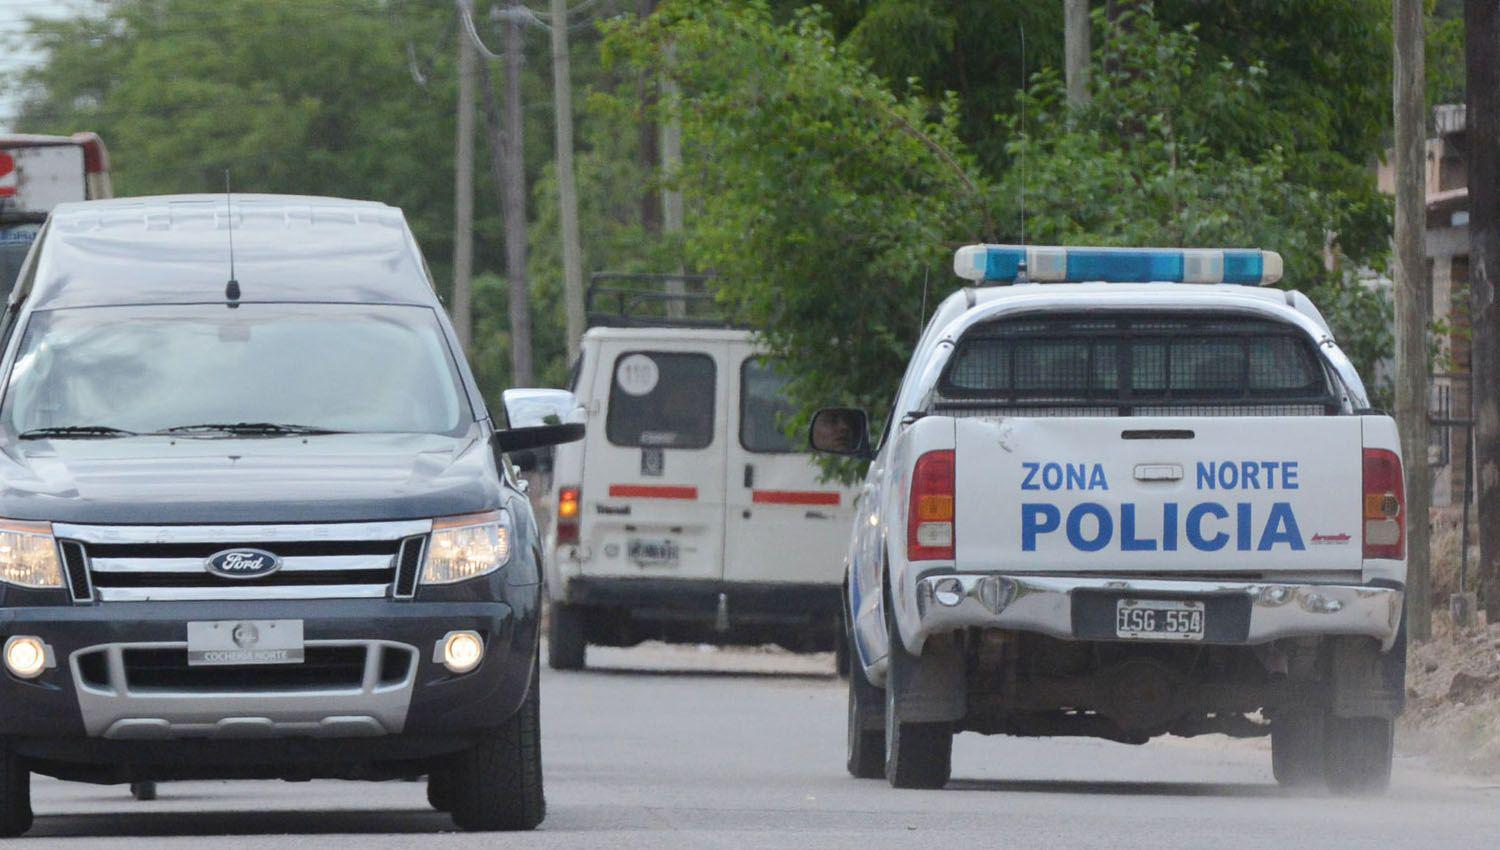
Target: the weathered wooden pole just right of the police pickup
(1412, 311)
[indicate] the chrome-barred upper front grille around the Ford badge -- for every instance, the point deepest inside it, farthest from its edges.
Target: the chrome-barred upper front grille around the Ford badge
(170, 563)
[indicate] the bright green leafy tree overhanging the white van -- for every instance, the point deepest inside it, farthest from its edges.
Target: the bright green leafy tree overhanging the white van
(823, 200)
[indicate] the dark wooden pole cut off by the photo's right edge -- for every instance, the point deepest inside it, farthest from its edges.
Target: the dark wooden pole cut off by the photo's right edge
(1483, 118)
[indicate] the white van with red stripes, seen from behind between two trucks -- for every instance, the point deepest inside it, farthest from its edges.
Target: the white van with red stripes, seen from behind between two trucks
(688, 515)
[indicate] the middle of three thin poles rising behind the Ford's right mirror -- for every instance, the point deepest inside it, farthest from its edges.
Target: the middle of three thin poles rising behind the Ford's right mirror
(506, 148)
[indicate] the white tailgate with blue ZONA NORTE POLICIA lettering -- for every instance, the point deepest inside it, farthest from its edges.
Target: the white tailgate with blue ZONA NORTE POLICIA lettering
(1159, 494)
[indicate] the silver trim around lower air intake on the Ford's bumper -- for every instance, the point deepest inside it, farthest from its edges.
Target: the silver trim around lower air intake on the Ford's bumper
(365, 710)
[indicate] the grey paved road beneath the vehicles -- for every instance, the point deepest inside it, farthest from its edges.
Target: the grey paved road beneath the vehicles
(685, 749)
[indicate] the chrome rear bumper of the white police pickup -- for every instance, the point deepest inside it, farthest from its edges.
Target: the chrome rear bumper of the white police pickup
(1067, 608)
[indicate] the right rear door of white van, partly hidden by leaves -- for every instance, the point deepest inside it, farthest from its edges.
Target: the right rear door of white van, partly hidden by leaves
(782, 524)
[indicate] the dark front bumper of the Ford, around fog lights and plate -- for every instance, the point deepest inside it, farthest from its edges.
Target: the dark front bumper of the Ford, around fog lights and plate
(94, 695)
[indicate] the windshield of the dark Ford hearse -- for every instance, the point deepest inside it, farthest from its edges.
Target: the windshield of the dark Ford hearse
(346, 368)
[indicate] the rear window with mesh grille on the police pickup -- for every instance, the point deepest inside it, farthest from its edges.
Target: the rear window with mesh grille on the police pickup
(1136, 365)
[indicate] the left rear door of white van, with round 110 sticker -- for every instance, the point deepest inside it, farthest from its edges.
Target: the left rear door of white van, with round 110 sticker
(653, 497)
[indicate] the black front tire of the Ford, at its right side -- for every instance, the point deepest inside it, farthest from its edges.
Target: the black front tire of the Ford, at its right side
(497, 785)
